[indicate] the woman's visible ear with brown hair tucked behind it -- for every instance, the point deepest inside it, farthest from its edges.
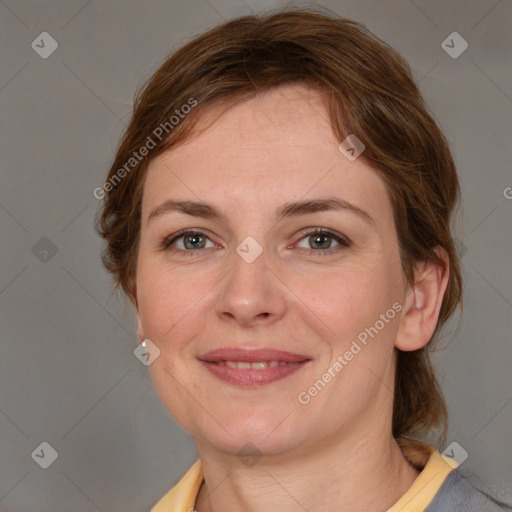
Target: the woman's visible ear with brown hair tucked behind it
(423, 303)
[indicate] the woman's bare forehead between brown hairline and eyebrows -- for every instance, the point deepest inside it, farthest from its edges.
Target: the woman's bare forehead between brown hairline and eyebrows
(275, 147)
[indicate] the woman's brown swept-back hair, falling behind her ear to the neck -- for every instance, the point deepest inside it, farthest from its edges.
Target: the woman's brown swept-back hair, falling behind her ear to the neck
(369, 91)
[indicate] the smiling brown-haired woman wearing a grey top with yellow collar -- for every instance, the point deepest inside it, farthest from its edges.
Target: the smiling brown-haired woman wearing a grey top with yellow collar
(278, 212)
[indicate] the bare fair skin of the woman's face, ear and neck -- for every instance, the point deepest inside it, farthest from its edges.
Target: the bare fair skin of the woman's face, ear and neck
(337, 452)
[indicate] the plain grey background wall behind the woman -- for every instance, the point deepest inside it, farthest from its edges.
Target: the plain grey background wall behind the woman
(68, 375)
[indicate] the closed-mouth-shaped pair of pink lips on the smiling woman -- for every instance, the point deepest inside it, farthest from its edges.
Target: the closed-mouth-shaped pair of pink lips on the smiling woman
(249, 376)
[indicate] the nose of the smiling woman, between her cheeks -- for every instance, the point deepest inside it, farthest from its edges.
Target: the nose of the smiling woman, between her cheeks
(251, 294)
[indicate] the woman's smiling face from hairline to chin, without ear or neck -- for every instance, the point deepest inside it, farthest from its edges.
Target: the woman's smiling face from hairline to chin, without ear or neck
(276, 318)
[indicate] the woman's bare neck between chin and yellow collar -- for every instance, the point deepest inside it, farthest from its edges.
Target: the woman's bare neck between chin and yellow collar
(356, 474)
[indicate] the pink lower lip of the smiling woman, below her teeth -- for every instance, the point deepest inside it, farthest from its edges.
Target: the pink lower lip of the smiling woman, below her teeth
(249, 377)
